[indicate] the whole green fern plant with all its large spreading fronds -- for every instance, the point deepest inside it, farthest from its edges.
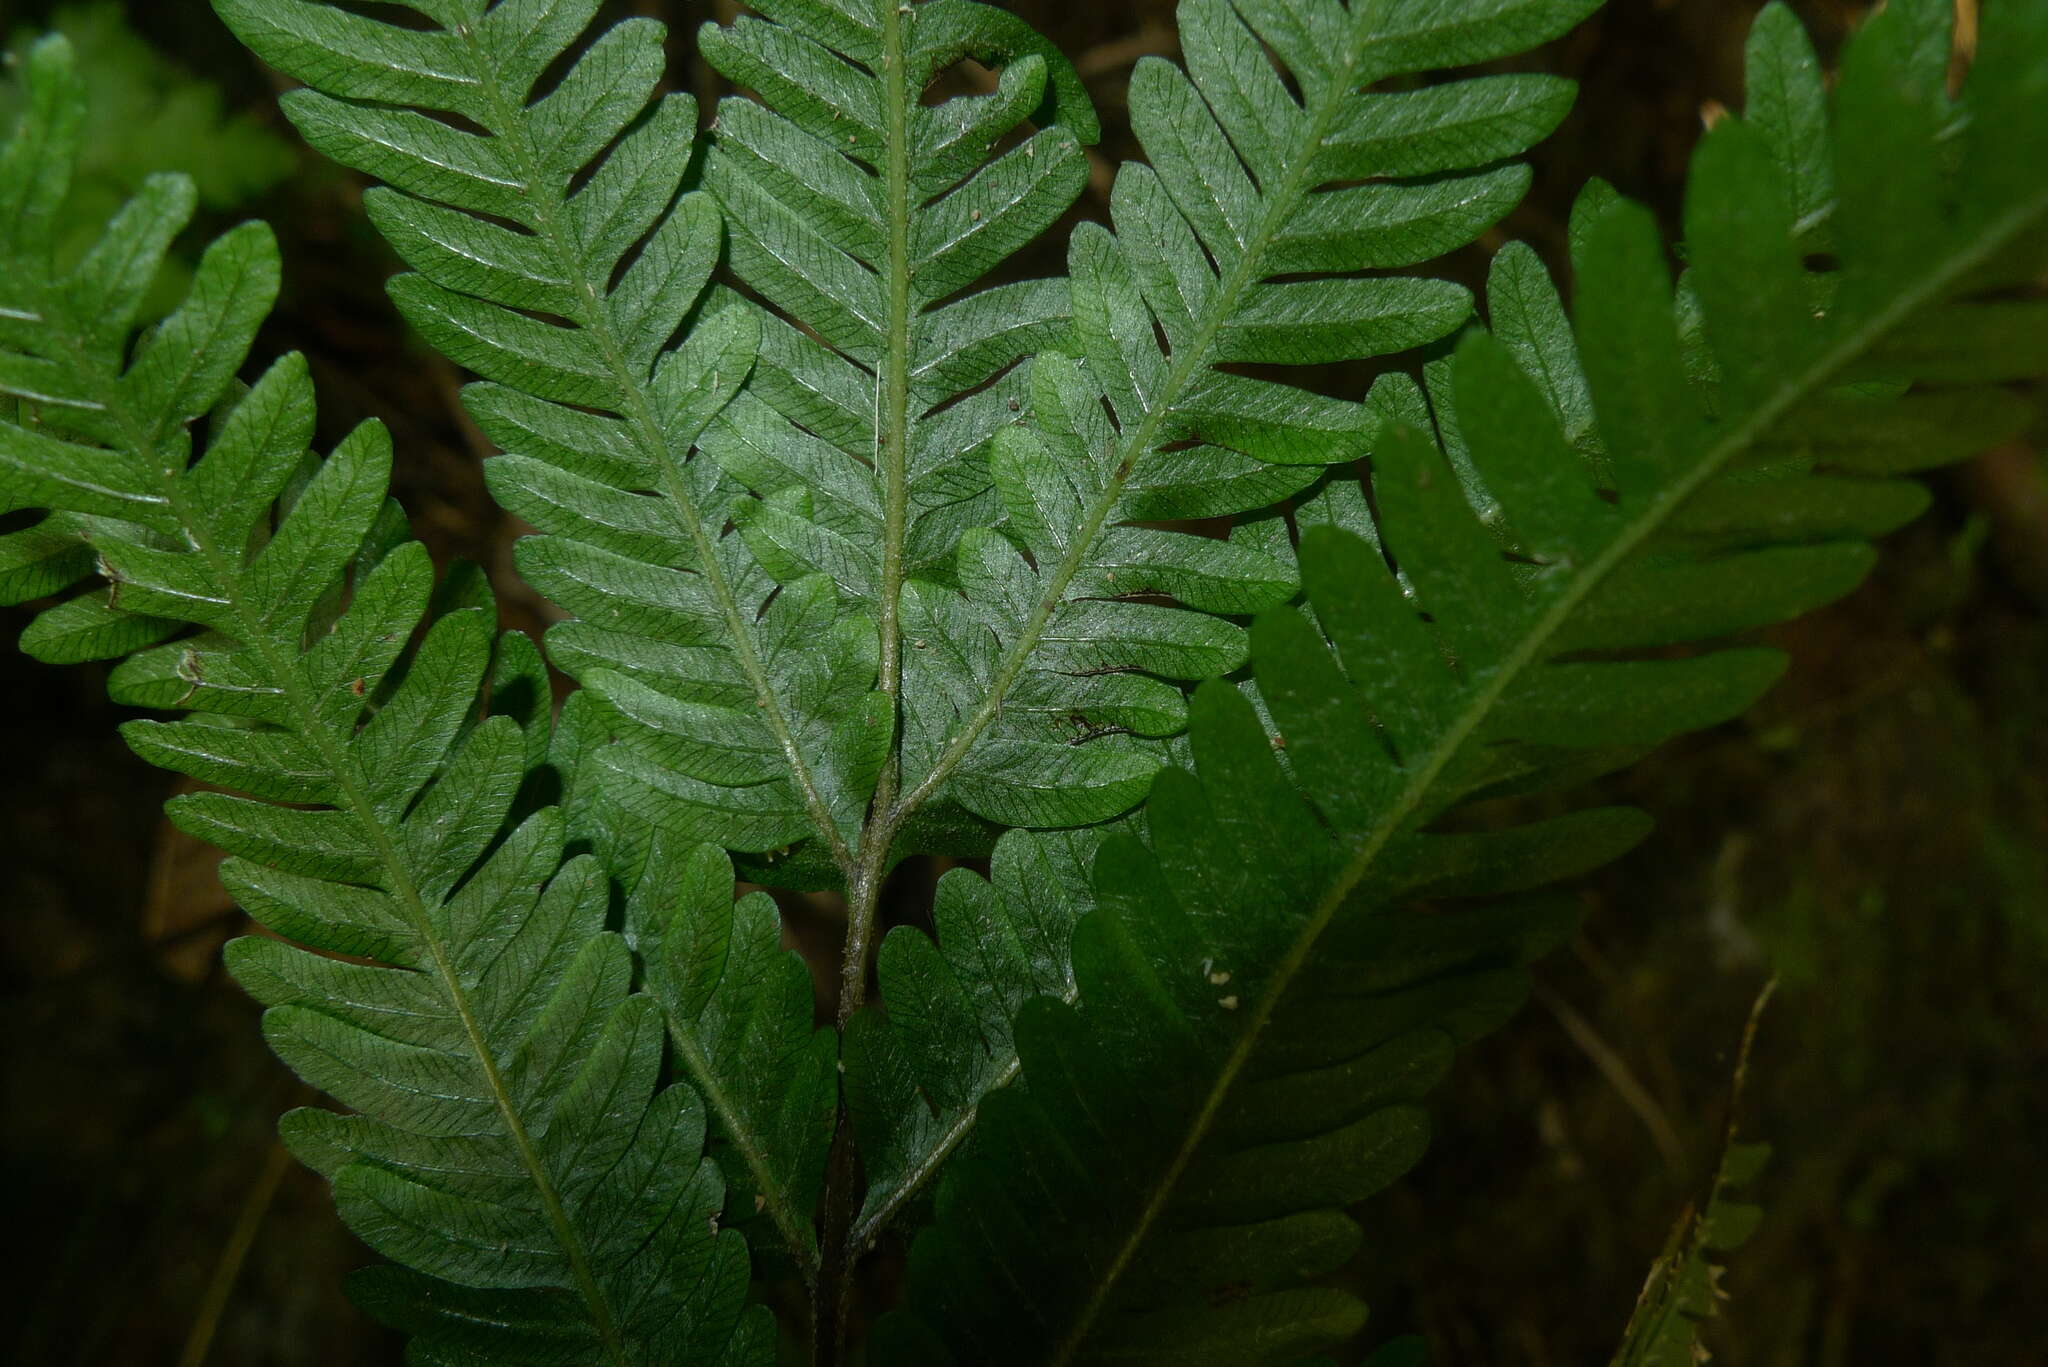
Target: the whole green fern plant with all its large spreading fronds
(867, 554)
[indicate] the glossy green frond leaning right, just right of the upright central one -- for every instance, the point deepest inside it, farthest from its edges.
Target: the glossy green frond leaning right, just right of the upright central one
(1250, 190)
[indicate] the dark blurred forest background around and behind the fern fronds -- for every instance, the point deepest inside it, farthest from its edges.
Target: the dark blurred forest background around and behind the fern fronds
(1877, 835)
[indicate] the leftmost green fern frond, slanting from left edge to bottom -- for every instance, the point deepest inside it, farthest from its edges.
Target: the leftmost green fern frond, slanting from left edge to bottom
(509, 1138)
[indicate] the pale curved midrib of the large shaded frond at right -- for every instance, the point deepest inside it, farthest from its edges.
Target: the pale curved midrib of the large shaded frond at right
(1793, 390)
